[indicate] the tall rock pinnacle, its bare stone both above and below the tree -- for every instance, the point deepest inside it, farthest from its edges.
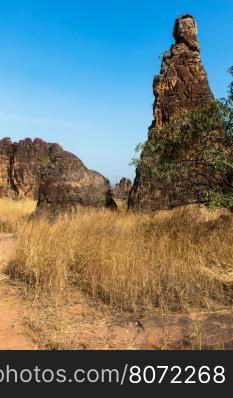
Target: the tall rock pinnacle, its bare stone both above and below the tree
(181, 85)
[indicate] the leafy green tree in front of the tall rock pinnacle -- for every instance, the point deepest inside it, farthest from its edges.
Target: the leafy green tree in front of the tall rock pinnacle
(197, 143)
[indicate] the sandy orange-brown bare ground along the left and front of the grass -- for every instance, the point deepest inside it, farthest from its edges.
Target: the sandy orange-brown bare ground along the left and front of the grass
(79, 324)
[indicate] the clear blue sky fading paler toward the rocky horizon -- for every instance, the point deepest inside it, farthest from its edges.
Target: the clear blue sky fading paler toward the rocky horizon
(80, 72)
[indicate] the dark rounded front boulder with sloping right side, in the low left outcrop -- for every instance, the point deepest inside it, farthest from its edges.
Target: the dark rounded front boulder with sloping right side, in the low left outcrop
(67, 183)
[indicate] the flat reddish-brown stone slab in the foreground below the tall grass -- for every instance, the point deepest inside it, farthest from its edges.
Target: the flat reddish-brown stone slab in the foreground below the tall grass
(196, 331)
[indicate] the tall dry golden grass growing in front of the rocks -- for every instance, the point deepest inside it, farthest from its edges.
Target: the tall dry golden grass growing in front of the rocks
(171, 260)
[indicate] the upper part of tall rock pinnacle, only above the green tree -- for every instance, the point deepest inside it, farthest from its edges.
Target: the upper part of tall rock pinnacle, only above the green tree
(182, 82)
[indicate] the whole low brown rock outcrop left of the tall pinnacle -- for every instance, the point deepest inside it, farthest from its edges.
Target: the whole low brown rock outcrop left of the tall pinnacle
(44, 171)
